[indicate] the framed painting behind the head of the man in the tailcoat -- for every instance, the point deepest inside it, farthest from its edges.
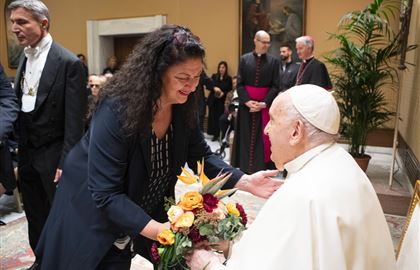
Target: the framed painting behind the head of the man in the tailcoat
(14, 50)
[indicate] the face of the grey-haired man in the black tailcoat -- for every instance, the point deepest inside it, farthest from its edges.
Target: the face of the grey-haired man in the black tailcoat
(27, 29)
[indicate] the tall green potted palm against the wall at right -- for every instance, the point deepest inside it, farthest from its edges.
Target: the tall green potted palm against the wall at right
(364, 67)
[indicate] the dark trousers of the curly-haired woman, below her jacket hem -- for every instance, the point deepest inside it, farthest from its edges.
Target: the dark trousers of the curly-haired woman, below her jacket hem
(116, 259)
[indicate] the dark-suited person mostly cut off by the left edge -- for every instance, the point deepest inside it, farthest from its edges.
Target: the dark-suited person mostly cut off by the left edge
(8, 113)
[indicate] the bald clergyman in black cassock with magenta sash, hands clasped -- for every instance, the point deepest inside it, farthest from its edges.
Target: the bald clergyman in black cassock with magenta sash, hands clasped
(258, 79)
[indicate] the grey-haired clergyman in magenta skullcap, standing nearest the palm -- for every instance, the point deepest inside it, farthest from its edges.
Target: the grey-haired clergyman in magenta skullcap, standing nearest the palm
(311, 71)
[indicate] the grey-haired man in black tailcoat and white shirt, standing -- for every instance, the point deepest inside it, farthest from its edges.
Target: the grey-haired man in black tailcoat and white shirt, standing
(50, 85)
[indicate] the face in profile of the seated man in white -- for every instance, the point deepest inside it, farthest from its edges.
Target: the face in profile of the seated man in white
(280, 129)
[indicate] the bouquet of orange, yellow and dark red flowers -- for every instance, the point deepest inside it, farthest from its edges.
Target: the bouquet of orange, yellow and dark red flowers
(198, 216)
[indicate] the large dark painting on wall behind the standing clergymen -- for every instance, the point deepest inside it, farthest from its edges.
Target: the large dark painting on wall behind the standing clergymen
(282, 19)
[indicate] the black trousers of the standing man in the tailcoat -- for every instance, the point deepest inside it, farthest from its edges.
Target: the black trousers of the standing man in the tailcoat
(37, 197)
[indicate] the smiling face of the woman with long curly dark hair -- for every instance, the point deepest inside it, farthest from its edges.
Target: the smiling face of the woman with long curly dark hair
(180, 80)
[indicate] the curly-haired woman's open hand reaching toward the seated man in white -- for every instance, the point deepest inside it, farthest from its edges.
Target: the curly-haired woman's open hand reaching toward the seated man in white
(261, 184)
